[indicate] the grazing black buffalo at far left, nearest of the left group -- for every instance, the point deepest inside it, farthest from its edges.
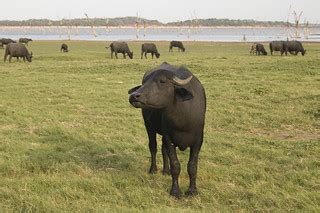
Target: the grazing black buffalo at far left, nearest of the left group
(17, 50)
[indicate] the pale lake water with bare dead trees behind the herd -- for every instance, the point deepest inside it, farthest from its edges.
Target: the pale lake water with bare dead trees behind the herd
(219, 34)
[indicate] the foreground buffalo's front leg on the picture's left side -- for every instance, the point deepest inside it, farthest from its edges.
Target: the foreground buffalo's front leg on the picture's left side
(174, 168)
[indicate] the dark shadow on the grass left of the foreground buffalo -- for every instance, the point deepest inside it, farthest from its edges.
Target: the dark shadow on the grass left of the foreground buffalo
(62, 150)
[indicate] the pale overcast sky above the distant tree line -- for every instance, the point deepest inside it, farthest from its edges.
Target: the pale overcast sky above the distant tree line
(163, 10)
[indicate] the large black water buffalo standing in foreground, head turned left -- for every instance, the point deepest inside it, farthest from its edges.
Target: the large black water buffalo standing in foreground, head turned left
(173, 103)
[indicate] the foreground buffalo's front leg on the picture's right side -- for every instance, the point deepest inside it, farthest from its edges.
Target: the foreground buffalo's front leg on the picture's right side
(192, 169)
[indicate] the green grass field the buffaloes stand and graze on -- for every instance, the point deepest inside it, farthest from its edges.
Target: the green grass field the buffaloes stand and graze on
(69, 139)
